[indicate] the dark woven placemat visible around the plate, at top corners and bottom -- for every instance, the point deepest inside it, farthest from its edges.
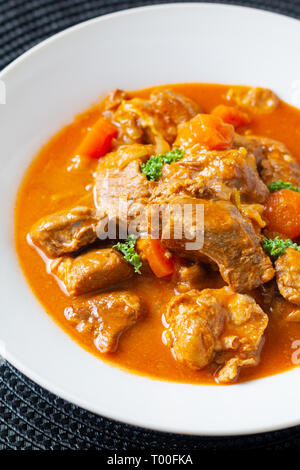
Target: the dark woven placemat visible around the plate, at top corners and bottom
(30, 417)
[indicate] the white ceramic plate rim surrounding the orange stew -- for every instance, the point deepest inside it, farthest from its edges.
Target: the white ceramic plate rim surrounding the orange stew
(64, 75)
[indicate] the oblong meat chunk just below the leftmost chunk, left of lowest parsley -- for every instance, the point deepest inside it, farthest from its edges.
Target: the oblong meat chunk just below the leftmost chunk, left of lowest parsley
(94, 270)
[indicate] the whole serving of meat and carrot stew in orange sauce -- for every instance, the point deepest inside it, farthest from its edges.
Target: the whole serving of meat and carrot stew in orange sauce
(224, 311)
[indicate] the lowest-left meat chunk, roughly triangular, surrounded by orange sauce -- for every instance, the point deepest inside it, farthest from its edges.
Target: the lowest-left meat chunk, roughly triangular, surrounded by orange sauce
(106, 316)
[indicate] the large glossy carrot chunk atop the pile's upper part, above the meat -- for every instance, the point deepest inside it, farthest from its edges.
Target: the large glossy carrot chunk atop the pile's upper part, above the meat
(206, 130)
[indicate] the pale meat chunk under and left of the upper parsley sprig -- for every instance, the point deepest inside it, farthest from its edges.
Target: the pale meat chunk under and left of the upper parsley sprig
(119, 181)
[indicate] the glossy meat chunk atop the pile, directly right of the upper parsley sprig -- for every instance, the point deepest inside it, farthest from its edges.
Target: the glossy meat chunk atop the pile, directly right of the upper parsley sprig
(221, 171)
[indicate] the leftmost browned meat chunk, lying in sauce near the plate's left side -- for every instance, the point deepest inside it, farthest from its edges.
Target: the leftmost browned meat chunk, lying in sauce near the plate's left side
(65, 232)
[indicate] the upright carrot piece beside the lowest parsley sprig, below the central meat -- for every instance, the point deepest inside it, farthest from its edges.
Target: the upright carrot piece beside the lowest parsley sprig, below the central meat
(161, 264)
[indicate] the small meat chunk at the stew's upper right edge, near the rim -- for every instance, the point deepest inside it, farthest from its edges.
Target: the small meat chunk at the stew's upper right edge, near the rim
(257, 100)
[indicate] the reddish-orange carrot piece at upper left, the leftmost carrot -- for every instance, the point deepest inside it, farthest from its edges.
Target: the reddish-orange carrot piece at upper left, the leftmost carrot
(98, 140)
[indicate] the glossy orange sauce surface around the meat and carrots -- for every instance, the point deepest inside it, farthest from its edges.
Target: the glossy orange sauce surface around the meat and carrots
(50, 186)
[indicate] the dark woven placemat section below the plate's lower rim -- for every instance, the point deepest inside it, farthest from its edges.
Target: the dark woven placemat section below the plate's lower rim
(33, 419)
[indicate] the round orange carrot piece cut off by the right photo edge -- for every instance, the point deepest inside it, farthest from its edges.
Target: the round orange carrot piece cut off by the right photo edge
(282, 213)
